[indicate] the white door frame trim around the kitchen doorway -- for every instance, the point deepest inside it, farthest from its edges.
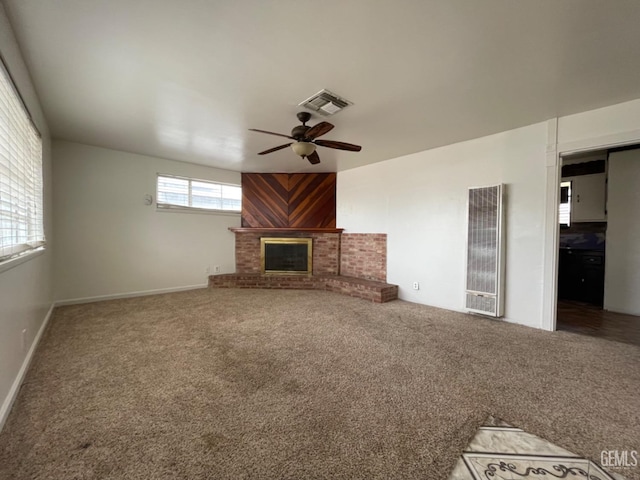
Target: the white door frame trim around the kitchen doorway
(555, 152)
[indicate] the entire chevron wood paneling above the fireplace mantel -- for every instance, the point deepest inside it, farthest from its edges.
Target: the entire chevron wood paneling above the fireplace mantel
(276, 200)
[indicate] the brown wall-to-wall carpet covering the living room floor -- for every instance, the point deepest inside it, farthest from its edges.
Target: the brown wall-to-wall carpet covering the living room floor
(302, 384)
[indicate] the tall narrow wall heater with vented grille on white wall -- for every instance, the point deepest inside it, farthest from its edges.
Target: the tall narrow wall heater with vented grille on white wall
(485, 251)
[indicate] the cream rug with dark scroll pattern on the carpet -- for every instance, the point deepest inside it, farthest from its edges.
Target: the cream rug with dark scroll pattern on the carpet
(500, 451)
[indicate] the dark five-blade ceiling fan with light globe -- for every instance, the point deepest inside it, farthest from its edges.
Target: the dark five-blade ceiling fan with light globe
(305, 139)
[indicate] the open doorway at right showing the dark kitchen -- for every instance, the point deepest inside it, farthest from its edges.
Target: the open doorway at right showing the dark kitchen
(599, 257)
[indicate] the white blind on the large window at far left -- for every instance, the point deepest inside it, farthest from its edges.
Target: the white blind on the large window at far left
(21, 215)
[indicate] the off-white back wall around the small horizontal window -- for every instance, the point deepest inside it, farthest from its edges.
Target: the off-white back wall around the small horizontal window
(110, 243)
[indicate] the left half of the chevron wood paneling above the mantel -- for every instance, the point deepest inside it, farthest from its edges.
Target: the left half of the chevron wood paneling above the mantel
(265, 200)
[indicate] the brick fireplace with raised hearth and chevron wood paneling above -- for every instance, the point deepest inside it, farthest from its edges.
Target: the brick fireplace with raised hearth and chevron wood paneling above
(281, 205)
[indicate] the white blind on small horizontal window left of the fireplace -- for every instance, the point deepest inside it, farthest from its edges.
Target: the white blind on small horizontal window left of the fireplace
(188, 193)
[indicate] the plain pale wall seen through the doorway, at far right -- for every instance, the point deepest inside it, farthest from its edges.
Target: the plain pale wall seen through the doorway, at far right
(622, 266)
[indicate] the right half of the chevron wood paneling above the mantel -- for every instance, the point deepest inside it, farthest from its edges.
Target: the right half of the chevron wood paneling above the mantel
(312, 200)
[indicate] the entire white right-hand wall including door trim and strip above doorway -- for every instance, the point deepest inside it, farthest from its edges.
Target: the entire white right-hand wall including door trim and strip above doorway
(419, 200)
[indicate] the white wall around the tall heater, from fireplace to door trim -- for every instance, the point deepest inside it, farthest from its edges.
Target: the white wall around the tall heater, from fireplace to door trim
(420, 201)
